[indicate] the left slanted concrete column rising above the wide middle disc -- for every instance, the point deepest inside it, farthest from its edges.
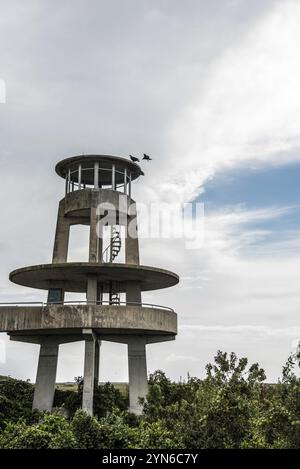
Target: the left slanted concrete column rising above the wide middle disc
(61, 243)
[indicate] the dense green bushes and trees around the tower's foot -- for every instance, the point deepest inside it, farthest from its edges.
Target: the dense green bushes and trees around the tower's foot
(231, 407)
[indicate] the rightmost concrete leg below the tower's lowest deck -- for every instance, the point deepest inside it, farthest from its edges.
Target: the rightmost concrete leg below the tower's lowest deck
(137, 369)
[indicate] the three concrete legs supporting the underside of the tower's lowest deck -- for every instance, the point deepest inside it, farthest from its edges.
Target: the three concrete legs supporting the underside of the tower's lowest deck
(48, 358)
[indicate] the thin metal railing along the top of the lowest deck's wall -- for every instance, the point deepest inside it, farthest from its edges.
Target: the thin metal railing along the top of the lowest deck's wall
(85, 302)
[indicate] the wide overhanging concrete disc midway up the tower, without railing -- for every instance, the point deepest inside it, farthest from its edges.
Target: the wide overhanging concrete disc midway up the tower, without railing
(73, 276)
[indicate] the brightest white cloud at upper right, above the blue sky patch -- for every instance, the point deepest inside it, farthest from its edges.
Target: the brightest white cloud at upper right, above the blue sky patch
(246, 107)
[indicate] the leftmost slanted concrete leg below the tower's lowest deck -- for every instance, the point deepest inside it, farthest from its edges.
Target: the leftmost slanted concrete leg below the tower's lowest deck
(46, 375)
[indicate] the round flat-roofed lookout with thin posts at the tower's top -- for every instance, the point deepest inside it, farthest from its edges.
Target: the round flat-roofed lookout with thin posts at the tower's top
(98, 171)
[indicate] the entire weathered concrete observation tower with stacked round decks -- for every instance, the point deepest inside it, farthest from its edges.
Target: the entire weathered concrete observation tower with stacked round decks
(97, 194)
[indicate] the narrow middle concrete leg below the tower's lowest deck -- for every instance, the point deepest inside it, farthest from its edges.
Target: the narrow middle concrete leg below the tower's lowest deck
(89, 371)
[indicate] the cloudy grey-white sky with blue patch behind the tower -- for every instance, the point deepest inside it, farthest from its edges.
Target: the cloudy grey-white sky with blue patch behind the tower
(211, 91)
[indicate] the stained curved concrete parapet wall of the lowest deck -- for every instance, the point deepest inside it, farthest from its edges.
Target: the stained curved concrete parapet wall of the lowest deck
(105, 318)
